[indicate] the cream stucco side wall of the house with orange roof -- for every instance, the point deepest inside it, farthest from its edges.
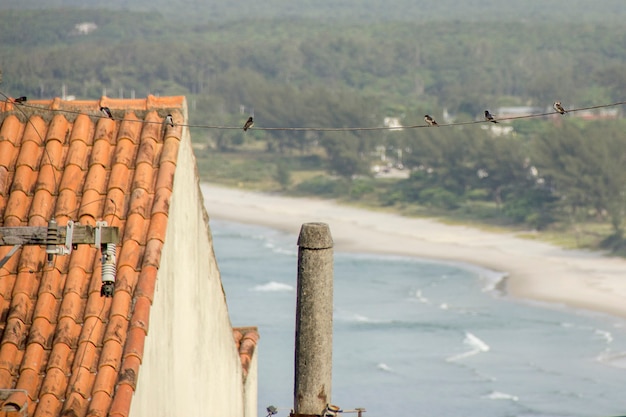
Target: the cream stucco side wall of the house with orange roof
(191, 366)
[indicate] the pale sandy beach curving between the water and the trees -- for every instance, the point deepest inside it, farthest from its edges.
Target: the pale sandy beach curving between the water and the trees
(534, 270)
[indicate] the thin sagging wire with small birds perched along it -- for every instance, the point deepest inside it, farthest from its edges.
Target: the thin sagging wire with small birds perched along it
(99, 115)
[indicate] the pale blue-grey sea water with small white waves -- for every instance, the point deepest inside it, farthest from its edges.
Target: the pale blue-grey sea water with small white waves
(418, 338)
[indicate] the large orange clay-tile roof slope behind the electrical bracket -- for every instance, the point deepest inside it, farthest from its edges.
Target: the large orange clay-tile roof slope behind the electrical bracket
(64, 349)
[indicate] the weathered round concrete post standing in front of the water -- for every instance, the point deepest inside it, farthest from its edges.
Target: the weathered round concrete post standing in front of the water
(314, 320)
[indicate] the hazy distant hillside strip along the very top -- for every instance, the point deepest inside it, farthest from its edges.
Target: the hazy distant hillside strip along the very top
(357, 10)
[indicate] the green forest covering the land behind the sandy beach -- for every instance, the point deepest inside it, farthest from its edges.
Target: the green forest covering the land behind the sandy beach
(320, 66)
